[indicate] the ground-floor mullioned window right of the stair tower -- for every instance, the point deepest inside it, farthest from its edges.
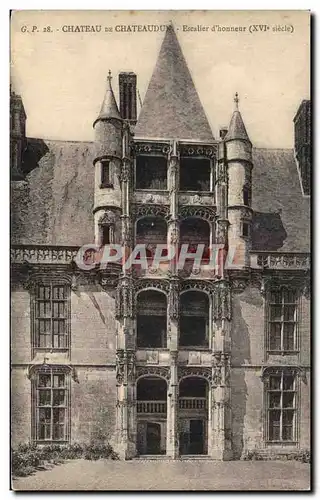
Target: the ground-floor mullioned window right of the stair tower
(281, 399)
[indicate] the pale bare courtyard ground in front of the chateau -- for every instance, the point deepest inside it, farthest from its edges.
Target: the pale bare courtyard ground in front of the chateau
(168, 475)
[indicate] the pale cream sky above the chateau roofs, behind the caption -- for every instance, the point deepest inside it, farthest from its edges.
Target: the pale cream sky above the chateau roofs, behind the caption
(61, 76)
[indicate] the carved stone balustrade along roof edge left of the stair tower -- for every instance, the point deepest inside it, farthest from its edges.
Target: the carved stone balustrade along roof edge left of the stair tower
(42, 254)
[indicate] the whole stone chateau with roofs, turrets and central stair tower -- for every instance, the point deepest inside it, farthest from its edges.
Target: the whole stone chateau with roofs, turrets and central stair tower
(161, 361)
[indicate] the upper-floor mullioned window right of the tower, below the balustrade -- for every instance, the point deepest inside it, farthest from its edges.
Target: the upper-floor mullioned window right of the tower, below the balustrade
(282, 320)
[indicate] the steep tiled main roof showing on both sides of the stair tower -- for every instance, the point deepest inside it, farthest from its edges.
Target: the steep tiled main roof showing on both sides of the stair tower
(54, 205)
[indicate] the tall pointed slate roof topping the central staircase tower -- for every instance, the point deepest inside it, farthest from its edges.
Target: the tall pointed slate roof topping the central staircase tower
(172, 108)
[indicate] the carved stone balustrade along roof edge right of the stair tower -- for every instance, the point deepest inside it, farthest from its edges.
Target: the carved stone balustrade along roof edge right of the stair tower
(283, 260)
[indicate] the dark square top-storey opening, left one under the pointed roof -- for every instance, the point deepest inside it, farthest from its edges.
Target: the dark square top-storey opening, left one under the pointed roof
(151, 172)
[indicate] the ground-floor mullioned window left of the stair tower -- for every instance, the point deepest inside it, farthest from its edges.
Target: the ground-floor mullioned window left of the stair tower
(51, 405)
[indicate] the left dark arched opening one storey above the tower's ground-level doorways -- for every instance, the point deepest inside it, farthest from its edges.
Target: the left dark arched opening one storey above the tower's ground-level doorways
(151, 319)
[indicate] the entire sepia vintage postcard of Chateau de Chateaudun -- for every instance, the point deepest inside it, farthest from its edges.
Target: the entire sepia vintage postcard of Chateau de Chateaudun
(160, 250)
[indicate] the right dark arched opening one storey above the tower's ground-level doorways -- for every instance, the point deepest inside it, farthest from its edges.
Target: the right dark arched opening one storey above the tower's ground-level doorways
(194, 319)
